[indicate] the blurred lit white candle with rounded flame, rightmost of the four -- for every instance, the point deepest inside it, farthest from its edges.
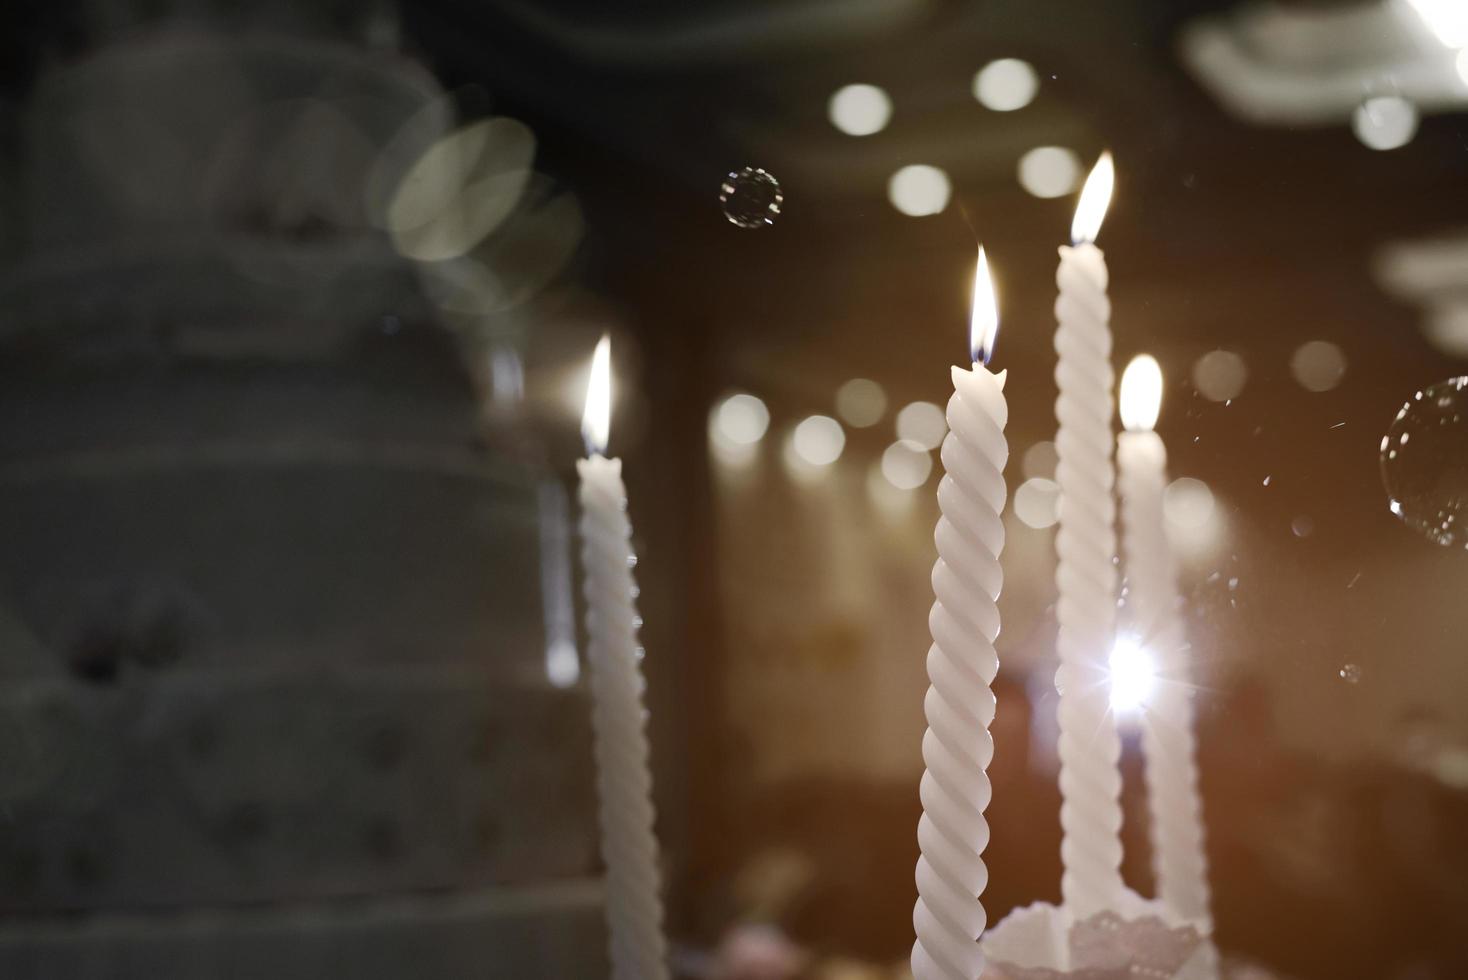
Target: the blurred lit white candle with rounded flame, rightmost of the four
(1168, 733)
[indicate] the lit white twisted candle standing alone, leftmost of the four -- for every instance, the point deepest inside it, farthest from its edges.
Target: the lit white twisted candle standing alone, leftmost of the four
(623, 777)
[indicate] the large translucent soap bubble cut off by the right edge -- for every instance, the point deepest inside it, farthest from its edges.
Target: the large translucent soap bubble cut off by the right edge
(1425, 463)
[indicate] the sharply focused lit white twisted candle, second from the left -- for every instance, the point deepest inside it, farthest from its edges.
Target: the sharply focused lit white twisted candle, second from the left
(952, 834)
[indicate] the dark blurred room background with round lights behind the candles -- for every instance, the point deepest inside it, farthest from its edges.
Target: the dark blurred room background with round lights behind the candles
(296, 309)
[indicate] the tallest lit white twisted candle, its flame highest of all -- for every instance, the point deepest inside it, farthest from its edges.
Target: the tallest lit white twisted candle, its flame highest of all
(1086, 544)
